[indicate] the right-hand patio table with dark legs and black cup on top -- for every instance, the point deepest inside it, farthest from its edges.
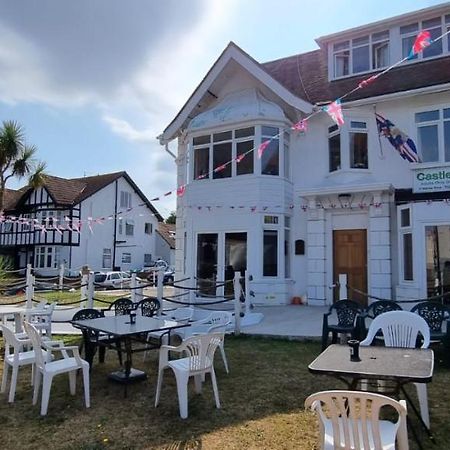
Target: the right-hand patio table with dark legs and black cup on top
(398, 365)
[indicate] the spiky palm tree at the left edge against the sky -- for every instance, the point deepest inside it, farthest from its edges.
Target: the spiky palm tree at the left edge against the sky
(17, 158)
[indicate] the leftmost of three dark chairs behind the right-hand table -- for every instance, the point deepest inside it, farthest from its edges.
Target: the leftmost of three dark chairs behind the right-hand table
(346, 312)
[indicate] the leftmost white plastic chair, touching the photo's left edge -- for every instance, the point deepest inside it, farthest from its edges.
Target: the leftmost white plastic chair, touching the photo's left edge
(15, 356)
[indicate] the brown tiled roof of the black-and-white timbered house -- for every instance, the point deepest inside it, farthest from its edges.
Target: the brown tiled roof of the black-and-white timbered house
(69, 192)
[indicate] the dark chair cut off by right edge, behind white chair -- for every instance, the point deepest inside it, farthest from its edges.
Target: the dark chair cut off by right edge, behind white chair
(437, 316)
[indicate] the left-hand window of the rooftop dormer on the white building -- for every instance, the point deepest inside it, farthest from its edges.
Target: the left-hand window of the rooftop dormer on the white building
(361, 54)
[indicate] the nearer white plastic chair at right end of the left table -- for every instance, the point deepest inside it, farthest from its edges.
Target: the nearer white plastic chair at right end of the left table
(198, 359)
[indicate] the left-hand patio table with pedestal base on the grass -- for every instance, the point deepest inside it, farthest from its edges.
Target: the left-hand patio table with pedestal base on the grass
(121, 329)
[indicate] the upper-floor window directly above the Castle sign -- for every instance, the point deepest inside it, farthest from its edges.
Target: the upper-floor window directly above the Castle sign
(433, 133)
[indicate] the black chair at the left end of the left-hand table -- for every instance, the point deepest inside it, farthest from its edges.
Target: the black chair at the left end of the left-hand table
(94, 339)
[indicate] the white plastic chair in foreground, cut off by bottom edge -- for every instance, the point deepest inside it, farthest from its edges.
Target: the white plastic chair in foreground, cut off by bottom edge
(350, 420)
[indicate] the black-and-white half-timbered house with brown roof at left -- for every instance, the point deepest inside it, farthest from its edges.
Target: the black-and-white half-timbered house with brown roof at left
(103, 221)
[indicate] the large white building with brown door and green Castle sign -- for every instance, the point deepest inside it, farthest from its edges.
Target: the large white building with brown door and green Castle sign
(332, 199)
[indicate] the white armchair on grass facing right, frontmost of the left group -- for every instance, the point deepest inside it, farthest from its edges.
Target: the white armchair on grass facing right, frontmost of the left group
(47, 369)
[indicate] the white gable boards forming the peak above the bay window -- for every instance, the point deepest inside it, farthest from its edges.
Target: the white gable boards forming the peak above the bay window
(198, 100)
